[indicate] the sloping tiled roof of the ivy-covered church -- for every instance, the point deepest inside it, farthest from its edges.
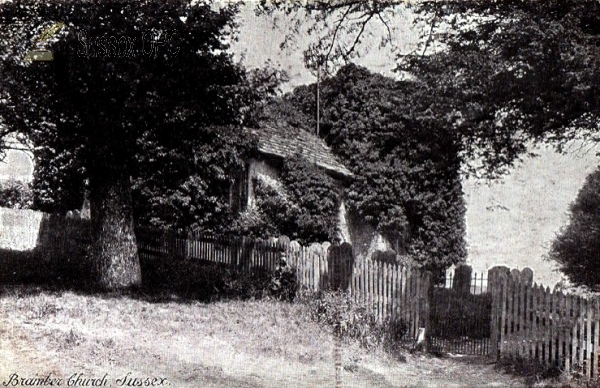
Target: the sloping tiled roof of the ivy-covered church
(286, 141)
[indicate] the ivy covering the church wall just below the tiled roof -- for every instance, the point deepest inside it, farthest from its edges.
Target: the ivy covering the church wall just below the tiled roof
(303, 206)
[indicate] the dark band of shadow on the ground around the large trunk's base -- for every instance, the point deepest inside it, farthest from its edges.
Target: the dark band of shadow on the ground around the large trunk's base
(163, 280)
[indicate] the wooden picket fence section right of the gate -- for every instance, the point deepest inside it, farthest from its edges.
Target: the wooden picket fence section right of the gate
(545, 326)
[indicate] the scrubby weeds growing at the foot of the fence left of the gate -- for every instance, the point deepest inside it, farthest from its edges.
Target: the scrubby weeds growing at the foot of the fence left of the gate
(350, 319)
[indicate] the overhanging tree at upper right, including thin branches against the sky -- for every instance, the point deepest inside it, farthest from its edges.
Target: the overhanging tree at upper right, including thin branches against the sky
(506, 72)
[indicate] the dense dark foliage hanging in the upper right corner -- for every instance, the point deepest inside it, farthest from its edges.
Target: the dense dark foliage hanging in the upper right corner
(511, 73)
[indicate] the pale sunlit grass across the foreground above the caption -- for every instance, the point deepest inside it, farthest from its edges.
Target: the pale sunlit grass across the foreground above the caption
(193, 344)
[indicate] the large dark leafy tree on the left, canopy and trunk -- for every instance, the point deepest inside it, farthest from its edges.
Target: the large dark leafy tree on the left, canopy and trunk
(128, 80)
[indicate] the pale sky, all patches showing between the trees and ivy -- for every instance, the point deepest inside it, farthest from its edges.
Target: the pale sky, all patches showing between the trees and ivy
(509, 222)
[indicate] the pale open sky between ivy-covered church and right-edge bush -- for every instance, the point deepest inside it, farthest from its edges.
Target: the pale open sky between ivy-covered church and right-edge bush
(513, 221)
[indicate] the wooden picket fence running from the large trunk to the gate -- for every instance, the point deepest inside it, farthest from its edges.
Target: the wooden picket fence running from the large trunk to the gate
(393, 291)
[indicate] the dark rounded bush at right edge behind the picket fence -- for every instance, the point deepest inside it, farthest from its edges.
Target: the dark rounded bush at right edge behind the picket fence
(577, 247)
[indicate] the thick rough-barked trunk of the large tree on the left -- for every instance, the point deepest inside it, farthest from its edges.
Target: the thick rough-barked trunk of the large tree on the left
(113, 253)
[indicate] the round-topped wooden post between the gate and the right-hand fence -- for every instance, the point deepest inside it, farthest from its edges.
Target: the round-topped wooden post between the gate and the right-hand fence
(496, 283)
